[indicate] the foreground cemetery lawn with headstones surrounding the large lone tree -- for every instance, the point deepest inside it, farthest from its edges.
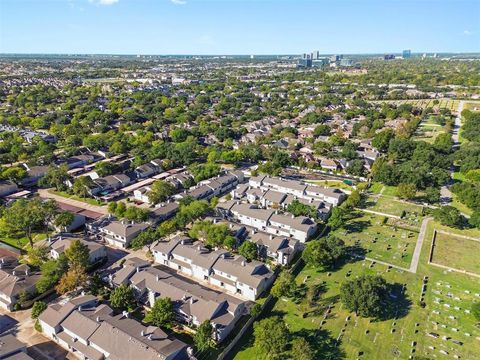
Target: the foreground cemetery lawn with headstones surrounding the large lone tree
(443, 325)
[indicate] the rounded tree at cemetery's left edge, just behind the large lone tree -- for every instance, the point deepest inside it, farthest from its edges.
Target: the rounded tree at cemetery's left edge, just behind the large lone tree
(324, 252)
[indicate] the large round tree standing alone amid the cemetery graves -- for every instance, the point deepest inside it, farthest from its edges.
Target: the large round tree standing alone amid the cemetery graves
(364, 295)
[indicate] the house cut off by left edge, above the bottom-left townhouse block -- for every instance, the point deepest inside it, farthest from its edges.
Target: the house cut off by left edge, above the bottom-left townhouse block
(15, 278)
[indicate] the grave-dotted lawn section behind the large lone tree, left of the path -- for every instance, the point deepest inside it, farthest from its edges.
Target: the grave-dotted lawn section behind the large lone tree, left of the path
(384, 242)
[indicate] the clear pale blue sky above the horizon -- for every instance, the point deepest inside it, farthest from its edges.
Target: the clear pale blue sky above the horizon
(238, 26)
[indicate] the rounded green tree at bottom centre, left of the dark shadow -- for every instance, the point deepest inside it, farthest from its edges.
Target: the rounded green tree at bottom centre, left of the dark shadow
(271, 336)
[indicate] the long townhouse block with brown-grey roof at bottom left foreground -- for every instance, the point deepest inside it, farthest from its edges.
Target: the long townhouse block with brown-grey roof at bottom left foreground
(95, 332)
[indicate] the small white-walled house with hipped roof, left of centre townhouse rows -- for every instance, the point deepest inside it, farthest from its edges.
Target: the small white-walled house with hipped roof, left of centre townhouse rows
(121, 233)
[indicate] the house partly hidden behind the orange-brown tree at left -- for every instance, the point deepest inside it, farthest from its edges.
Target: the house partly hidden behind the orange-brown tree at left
(59, 244)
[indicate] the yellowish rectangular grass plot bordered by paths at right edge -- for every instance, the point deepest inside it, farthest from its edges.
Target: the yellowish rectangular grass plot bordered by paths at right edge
(457, 252)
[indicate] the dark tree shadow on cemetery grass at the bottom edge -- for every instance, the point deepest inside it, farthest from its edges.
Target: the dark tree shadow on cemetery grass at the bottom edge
(322, 343)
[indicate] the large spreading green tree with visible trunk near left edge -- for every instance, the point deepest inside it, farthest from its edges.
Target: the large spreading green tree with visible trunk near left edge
(25, 216)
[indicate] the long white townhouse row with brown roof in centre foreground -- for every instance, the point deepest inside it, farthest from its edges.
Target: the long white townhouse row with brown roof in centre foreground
(217, 268)
